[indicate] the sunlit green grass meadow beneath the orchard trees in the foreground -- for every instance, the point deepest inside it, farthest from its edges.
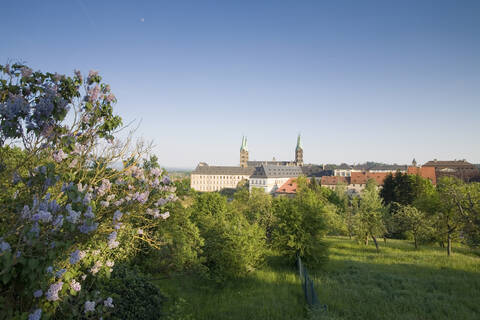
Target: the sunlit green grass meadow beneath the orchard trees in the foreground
(357, 283)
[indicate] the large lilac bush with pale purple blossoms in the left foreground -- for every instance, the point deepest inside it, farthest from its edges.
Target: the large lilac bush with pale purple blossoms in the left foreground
(72, 215)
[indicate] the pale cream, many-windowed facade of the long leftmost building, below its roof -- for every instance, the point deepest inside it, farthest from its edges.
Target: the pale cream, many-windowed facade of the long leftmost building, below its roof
(205, 182)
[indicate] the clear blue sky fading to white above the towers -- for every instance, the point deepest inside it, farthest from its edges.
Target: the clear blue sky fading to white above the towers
(361, 80)
